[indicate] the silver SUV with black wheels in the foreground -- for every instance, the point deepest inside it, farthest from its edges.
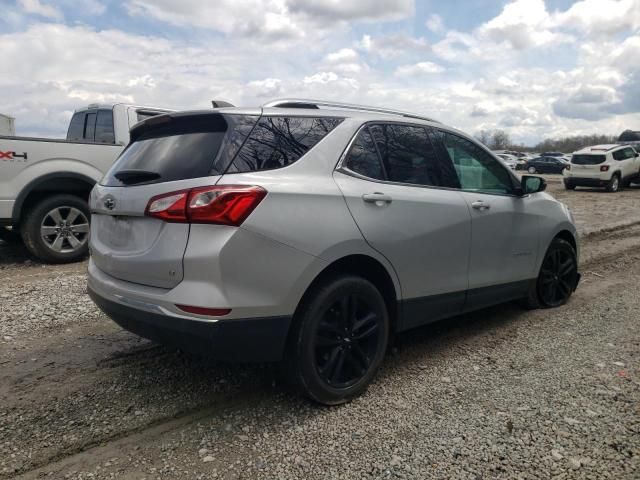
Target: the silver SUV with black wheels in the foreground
(311, 232)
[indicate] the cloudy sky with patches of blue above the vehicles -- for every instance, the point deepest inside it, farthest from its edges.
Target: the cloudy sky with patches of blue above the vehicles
(532, 67)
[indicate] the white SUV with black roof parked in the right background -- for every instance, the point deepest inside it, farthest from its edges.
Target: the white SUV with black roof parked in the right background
(609, 166)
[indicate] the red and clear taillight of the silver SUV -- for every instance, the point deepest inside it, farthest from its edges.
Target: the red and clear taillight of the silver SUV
(221, 205)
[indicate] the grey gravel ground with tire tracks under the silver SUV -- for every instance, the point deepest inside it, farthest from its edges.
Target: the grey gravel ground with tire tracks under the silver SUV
(500, 393)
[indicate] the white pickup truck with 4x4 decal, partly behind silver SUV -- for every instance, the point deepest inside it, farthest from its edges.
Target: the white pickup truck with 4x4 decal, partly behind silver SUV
(45, 183)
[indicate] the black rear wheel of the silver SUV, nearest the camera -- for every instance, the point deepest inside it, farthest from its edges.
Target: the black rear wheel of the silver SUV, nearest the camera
(339, 339)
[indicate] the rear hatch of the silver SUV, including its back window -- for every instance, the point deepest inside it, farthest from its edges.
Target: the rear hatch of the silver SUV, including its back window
(168, 153)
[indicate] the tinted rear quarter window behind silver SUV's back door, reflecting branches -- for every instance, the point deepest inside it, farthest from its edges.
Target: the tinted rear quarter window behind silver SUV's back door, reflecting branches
(280, 141)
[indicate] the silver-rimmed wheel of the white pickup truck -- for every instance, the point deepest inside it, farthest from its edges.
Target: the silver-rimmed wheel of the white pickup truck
(56, 230)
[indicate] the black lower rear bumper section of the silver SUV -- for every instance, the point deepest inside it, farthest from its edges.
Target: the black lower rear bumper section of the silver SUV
(237, 340)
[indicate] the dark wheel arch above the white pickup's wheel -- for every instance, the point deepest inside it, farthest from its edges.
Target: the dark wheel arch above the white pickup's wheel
(59, 182)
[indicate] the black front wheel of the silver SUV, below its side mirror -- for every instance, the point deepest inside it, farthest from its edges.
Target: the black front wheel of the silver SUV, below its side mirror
(557, 279)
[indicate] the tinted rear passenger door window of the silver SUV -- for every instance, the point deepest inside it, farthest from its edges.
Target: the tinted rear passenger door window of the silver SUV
(409, 157)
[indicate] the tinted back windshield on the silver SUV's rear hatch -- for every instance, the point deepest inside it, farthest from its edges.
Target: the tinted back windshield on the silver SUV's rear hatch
(184, 148)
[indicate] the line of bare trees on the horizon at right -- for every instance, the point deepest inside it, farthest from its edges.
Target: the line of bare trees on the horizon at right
(501, 140)
